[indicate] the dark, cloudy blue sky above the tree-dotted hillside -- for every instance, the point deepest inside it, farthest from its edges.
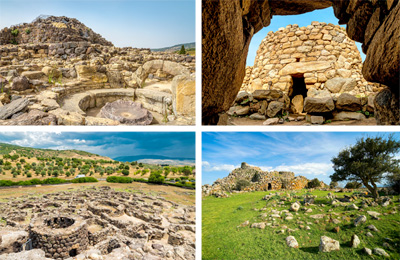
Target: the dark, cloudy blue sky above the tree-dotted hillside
(111, 144)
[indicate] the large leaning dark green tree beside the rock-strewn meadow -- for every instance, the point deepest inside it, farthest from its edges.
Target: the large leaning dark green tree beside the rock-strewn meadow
(369, 161)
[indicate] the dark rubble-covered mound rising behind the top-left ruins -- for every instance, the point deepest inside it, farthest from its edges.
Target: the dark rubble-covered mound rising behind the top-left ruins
(51, 29)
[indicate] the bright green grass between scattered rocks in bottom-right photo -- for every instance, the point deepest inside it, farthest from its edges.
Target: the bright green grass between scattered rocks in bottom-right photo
(223, 239)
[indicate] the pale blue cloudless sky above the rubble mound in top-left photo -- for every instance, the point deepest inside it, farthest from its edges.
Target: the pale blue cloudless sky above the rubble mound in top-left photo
(135, 23)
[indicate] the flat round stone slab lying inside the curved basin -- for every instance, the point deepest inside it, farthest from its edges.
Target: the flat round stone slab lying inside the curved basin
(127, 112)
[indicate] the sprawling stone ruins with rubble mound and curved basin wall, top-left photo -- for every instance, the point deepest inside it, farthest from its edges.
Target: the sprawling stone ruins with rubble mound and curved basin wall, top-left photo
(61, 80)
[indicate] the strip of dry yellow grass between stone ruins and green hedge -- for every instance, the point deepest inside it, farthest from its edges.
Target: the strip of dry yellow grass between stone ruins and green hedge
(176, 194)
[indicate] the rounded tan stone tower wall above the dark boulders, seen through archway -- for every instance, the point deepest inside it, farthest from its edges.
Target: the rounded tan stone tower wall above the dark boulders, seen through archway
(308, 56)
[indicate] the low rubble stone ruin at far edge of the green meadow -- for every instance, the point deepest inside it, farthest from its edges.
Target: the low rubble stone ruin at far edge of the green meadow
(259, 181)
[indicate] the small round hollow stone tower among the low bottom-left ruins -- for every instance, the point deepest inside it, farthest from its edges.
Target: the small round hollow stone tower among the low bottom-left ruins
(59, 237)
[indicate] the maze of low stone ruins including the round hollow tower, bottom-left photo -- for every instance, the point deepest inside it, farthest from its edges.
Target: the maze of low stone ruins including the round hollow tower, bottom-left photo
(96, 222)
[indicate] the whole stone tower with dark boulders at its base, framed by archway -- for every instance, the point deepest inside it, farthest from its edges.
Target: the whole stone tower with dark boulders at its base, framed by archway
(313, 70)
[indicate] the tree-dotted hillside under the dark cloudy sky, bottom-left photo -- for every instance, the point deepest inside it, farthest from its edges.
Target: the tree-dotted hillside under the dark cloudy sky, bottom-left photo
(19, 163)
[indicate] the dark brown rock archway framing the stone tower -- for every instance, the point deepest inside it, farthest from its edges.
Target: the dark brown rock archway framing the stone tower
(228, 27)
